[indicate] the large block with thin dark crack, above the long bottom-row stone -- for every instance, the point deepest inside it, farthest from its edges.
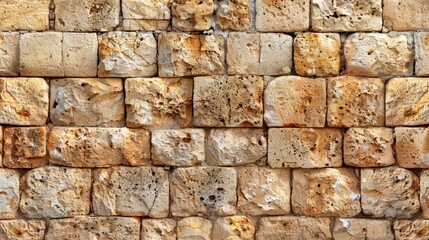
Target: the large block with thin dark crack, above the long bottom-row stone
(131, 191)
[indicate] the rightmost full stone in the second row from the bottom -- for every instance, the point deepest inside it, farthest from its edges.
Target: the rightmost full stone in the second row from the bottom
(389, 192)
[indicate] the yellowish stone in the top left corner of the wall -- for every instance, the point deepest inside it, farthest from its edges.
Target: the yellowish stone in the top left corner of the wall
(24, 15)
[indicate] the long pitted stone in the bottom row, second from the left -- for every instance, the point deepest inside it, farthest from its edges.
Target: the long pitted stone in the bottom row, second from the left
(85, 227)
